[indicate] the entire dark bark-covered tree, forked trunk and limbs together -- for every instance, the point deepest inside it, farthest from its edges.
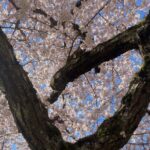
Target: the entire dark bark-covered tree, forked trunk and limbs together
(31, 116)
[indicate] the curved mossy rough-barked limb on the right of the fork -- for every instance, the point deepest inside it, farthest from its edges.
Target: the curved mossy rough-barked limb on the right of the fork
(116, 131)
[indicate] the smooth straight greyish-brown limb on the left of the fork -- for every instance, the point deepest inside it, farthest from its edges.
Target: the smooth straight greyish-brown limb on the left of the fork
(29, 113)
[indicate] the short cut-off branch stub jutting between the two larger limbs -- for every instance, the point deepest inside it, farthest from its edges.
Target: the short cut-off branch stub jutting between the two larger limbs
(80, 62)
